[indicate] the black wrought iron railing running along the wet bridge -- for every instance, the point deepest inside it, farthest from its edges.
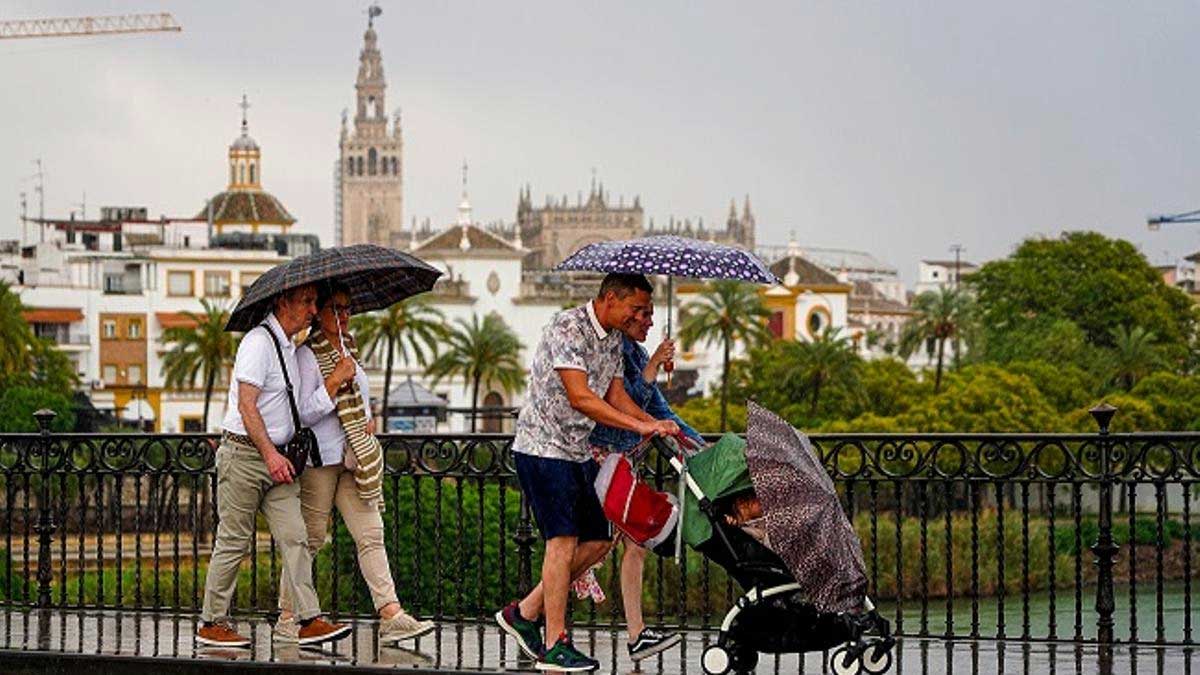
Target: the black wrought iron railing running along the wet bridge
(1083, 537)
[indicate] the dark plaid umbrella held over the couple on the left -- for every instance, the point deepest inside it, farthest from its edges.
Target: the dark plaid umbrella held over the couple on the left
(377, 278)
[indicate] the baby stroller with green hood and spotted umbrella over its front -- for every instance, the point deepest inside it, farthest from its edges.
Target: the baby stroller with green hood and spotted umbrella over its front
(806, 587)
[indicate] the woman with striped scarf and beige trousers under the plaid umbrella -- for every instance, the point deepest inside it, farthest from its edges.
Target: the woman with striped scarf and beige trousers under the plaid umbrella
(337, 405)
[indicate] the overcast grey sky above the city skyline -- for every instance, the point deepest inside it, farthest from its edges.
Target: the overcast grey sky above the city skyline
(890, 128)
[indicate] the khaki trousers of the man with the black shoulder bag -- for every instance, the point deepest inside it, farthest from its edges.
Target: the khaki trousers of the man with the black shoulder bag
(244, 488)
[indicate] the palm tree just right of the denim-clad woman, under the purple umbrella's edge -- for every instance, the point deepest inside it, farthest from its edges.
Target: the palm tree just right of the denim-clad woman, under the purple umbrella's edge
(728, 312)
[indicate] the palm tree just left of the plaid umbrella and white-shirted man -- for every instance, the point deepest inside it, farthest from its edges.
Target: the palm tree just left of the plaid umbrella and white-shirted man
(203, 350)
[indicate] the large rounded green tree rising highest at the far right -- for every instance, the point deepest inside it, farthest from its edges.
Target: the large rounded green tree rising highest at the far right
(1096, 283)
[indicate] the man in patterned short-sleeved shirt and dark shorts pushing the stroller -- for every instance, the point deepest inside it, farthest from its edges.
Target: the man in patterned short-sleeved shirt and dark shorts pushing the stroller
(575, 383)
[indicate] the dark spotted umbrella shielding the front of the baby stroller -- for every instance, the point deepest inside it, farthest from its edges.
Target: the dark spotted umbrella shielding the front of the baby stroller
(806, 524)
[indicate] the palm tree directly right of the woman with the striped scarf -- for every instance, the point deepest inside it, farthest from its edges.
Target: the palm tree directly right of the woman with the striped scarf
(410, 327)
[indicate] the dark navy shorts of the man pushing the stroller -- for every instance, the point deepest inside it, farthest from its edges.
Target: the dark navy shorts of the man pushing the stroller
(562, 497)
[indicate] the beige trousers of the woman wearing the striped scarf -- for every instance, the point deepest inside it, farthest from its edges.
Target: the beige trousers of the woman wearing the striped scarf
(321, 489)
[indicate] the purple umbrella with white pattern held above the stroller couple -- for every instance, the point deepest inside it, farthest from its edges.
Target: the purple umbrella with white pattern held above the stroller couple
(673, 256)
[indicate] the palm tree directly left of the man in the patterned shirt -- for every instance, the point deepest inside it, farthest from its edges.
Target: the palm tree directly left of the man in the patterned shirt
(482, 353)
